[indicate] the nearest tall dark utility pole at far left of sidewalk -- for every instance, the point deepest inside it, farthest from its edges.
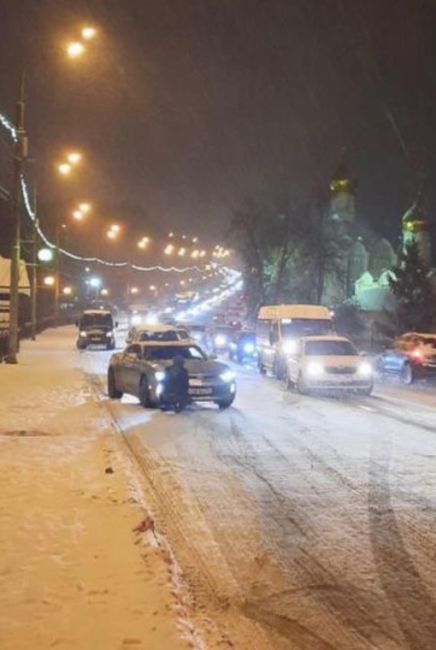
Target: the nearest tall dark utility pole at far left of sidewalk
(19, 156)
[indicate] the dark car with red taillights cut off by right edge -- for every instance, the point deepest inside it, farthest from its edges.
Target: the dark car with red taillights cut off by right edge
(412, 355)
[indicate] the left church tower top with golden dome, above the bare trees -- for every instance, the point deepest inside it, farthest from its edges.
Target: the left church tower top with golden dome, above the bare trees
(342, 200)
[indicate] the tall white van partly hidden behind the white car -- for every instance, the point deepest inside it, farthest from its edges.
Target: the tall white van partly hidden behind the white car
(280, 326)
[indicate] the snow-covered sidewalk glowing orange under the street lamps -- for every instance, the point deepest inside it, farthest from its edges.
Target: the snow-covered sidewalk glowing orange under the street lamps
(73, 571)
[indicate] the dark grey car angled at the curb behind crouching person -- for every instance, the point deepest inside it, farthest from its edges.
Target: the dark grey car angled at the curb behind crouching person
(140, 371)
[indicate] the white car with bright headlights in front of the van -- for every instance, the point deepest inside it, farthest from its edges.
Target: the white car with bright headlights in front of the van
(328, 363)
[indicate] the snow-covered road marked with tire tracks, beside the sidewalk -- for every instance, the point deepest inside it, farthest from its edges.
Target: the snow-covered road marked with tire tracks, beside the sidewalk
(300, 522)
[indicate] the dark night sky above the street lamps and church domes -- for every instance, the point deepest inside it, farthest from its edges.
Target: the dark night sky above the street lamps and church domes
(186, 108)
